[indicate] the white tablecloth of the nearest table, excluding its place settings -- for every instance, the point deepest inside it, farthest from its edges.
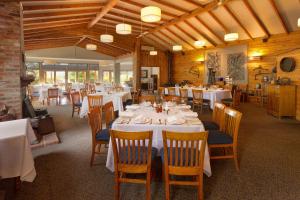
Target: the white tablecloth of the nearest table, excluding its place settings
(157, 140)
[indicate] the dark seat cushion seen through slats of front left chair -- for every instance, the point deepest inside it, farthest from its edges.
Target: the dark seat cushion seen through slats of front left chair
(123, 154)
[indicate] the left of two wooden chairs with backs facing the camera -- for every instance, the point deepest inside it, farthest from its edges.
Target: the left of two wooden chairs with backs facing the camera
(132, 155)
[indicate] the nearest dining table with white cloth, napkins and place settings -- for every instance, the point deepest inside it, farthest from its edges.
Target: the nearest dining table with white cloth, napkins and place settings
(143, 117)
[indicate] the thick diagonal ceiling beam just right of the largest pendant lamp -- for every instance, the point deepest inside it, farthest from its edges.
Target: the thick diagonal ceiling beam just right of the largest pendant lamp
(188, 15)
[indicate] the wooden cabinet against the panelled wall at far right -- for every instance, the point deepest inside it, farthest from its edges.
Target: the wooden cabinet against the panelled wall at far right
(282, 100)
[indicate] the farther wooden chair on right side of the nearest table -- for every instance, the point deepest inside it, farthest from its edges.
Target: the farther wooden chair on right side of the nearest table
(217, 118)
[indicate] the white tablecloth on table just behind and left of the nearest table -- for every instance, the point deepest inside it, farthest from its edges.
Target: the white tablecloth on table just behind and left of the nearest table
(117, 98)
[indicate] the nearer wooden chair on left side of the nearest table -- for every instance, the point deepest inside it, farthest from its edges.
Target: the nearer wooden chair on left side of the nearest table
(99, 136)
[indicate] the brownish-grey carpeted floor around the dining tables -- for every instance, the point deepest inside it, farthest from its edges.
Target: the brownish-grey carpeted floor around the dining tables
(269, 151)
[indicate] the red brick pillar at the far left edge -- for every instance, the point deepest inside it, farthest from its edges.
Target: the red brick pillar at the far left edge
(10, 56)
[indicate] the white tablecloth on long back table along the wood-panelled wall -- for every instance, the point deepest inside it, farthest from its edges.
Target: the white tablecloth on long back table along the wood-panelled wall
(214, 95)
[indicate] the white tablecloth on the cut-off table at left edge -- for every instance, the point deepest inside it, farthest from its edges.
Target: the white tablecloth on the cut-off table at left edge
(15, 153)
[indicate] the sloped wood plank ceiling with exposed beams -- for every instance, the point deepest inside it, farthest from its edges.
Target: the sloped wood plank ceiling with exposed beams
(57, 23)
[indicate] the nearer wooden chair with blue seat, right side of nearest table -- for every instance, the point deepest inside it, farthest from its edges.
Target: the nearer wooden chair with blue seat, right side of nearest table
(227, 136)
